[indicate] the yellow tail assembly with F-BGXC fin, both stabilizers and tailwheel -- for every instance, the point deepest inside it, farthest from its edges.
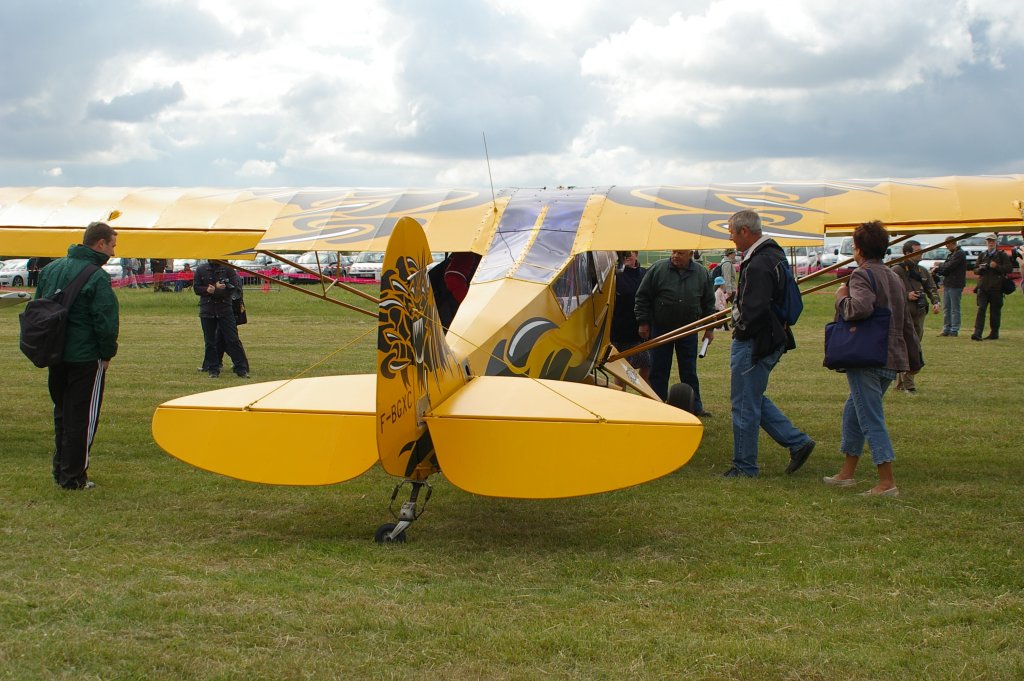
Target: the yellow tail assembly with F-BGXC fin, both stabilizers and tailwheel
(423, 413)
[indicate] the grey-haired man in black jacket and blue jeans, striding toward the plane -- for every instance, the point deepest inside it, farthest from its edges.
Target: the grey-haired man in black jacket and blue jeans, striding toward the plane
(759, 339)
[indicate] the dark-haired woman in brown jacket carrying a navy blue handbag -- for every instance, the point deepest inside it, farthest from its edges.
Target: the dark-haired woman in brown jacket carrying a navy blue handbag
(875, 292)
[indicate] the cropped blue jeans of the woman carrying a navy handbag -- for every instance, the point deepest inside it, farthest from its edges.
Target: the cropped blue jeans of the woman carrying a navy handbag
(863, 417)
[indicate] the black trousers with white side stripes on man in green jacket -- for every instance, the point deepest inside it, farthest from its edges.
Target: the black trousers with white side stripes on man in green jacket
(77, 392)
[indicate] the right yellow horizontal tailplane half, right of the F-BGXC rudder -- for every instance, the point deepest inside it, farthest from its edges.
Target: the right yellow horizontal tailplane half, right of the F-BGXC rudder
(509, 437)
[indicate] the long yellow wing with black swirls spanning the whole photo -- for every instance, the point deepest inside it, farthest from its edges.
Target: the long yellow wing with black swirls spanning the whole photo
(211, 223)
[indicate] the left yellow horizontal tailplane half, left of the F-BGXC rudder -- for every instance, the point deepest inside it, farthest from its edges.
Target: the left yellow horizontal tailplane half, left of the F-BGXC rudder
(306, 433)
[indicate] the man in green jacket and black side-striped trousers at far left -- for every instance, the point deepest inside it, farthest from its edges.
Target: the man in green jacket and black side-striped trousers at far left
(92, 340)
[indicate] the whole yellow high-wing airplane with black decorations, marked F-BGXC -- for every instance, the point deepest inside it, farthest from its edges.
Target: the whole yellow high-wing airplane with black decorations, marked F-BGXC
(513, 397)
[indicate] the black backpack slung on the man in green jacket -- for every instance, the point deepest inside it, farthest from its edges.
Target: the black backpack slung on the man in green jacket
(46, 320)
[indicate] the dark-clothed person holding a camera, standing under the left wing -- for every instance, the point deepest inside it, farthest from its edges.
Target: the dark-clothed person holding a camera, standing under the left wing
(217, 285)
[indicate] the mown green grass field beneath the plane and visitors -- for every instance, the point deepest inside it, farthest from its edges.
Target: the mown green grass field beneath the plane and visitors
(165, 572)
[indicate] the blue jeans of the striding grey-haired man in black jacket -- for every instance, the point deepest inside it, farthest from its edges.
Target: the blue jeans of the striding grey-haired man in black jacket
(753, 411)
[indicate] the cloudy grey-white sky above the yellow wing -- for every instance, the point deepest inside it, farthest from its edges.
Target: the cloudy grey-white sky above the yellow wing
(398, 93)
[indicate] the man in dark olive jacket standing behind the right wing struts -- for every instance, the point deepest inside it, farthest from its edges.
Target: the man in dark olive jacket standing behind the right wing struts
(675, 292)
